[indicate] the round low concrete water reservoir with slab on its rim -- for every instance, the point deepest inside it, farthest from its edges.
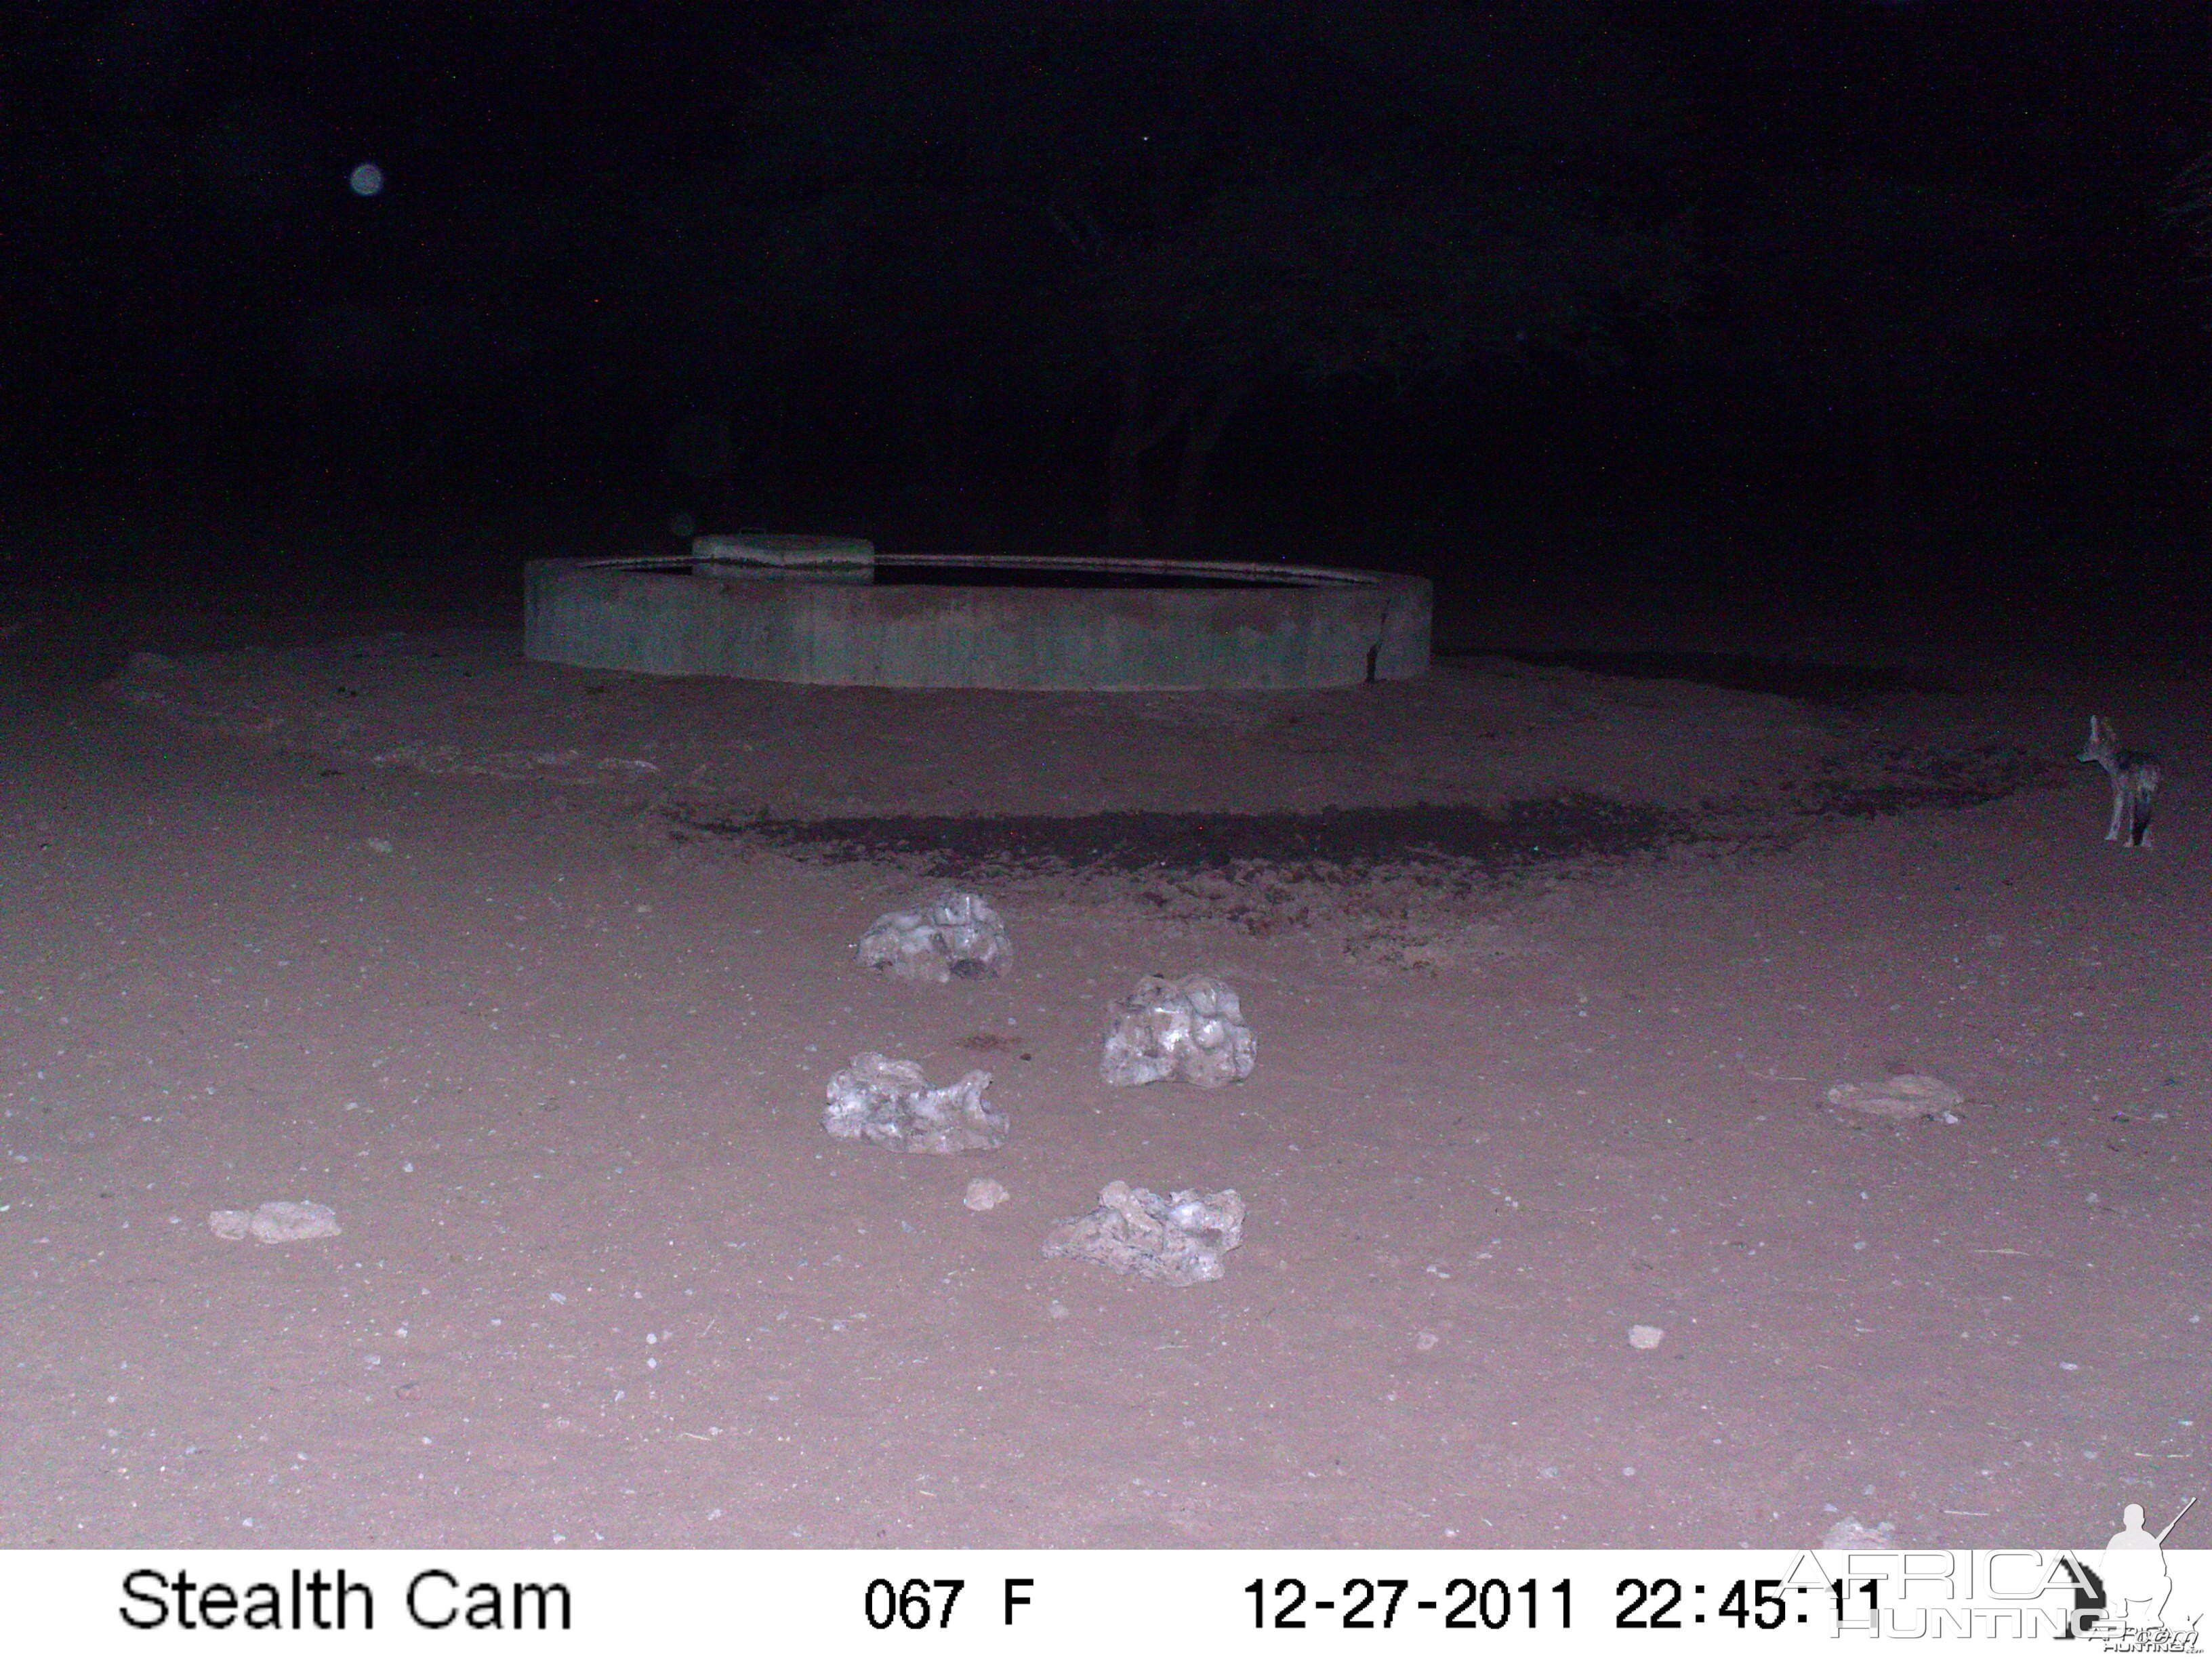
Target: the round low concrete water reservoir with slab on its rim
(824, 612)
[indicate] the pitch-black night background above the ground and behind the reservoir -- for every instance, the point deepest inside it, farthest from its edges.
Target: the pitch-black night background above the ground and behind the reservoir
(1822, 320)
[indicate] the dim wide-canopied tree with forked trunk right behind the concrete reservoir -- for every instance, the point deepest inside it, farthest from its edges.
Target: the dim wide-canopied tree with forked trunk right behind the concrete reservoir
(1191, 200)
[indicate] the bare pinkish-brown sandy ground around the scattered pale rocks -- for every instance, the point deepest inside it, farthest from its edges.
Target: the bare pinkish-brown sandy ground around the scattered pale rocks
(536, 979)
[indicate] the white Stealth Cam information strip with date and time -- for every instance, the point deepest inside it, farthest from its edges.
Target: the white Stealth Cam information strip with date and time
(1076, 1603)
